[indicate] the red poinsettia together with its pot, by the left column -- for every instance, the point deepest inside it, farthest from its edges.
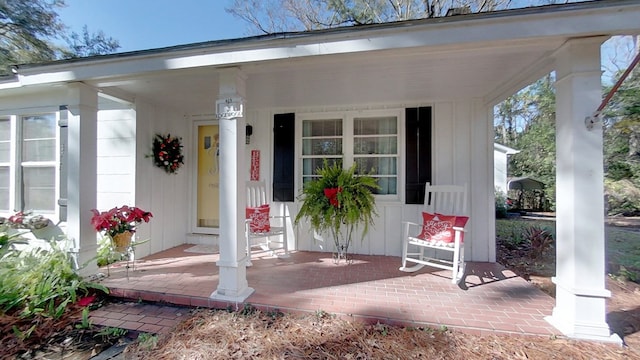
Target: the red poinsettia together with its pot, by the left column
(119, 224)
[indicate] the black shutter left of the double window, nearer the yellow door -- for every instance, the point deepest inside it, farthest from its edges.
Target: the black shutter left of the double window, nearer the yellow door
(283, 156)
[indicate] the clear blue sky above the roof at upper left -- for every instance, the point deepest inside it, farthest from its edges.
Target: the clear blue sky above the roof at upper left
(149, 24)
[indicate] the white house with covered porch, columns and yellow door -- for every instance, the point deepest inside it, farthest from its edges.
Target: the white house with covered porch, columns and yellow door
(417, 94)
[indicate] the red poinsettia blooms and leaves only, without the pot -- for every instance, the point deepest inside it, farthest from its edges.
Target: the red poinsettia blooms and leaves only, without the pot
(119, 219)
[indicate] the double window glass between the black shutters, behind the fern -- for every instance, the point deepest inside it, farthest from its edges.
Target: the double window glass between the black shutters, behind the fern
(369, 141)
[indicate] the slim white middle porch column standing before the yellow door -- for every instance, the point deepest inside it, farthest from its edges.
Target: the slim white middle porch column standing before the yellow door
(232, 285)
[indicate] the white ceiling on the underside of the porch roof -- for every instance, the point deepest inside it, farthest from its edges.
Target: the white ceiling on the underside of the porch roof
(389, 76)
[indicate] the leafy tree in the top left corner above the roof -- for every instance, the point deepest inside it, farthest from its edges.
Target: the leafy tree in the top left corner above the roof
(28, 30)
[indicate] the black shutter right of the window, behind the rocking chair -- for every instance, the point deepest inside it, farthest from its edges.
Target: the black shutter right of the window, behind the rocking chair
(418, 153)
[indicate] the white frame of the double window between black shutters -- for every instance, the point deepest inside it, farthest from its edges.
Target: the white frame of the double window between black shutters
(348, 142)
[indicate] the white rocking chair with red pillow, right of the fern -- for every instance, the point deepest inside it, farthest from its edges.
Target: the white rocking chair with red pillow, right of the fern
(446, 201)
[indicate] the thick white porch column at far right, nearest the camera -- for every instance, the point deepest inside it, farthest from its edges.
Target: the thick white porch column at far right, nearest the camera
(580, 310)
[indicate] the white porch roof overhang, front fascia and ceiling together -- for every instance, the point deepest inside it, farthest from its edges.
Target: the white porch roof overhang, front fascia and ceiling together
(487, 56)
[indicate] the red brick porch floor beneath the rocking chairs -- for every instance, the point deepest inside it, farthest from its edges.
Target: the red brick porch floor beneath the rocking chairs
(492, 299)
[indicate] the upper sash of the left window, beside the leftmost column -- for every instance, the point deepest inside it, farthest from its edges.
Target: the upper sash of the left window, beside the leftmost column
(39, 136)
